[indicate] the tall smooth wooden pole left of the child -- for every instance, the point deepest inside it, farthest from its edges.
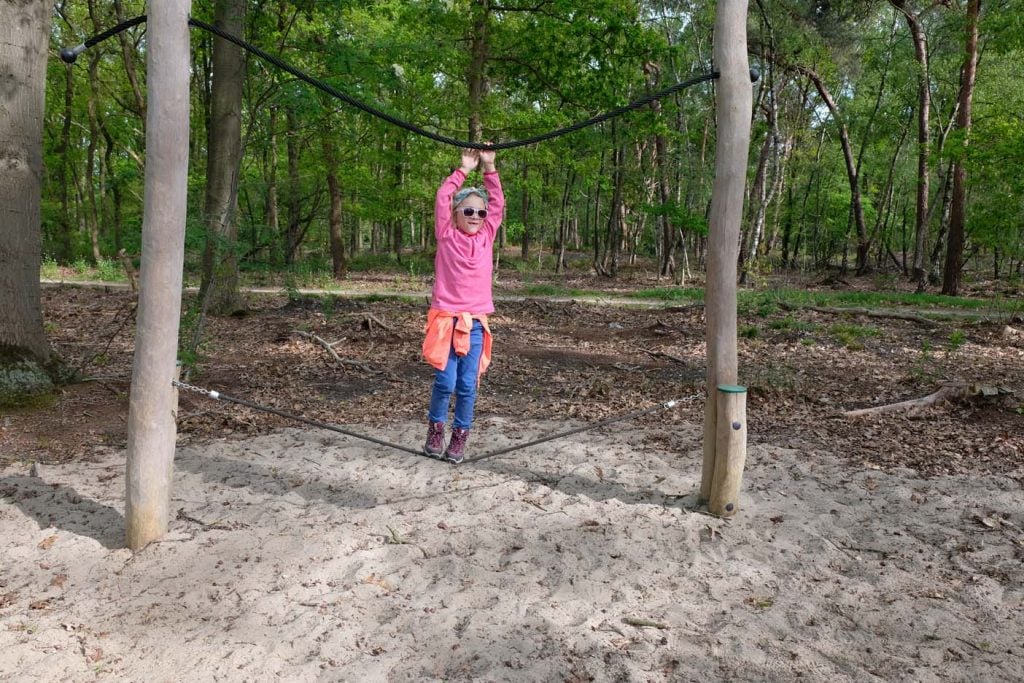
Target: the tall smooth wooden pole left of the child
(152, 430)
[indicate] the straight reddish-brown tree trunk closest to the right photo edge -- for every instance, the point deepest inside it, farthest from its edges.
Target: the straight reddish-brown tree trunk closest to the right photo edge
(958, 216)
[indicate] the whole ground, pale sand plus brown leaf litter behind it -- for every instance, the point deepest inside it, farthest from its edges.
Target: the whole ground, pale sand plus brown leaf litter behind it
(881, 548)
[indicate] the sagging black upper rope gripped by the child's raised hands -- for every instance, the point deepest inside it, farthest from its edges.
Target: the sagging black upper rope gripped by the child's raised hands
(70, 55)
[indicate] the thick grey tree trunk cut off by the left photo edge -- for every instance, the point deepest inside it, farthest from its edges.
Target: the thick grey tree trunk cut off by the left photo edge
(24, 351)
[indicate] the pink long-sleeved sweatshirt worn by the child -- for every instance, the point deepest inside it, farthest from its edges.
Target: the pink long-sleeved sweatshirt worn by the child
(463, 267)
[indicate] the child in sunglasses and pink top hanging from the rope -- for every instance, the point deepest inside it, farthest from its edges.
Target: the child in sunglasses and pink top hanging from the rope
(458, 339)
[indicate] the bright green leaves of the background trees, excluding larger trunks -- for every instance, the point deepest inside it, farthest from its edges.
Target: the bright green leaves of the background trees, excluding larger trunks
(549, 65)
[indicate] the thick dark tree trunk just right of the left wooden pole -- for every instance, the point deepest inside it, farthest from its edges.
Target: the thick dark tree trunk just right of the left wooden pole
(220, 286)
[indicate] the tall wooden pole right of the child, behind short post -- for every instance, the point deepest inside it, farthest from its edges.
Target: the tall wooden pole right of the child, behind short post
(734, 134)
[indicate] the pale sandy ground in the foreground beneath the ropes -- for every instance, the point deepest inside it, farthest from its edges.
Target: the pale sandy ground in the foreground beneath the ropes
(309, 557)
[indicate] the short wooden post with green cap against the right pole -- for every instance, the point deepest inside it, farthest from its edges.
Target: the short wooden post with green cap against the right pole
(731, 445)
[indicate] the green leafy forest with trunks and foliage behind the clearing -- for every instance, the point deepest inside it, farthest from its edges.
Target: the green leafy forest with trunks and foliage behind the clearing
(882, 137)
